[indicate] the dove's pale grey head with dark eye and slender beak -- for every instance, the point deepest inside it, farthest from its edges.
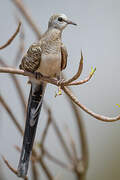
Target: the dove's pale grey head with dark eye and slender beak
(59, 21)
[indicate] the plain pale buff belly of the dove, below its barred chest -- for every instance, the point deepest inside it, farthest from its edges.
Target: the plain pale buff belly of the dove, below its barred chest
(50, 64)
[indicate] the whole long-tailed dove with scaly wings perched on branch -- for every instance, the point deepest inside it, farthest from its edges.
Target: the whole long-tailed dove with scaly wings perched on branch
(47, 57)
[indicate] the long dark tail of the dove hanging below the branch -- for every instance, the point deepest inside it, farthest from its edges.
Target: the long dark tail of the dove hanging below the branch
(33, 111)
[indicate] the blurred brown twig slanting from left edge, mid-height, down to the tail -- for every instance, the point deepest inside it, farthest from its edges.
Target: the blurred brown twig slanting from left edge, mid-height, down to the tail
(7, 108)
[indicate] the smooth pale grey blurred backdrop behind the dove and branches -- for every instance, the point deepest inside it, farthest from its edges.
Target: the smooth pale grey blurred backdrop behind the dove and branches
(98, 35)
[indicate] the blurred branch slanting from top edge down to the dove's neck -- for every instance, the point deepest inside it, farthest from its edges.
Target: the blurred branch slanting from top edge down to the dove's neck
(27, 16)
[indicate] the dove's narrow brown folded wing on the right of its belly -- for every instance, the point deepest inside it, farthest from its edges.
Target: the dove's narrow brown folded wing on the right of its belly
(64, 56)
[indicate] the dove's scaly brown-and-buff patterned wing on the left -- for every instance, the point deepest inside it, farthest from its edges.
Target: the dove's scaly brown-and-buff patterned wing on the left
(31, 60)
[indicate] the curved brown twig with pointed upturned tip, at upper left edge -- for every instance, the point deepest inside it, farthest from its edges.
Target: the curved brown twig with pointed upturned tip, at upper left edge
(12, 37)
